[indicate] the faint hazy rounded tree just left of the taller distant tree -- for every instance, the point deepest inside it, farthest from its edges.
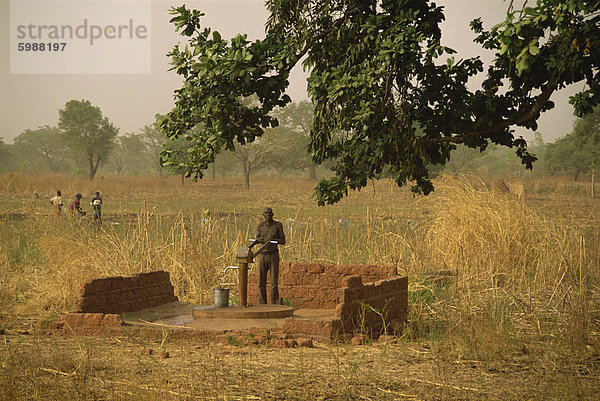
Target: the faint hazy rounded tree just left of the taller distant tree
(43, 149)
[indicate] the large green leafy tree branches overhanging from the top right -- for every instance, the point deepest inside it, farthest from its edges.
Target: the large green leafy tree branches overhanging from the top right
(387, 94)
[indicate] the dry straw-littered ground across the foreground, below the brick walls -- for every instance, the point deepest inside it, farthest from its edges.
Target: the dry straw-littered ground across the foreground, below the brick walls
(38, 365)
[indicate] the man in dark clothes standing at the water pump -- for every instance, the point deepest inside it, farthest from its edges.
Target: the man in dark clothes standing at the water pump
(268, 258)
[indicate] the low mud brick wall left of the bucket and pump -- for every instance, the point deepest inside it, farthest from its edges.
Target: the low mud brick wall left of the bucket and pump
(125, 294)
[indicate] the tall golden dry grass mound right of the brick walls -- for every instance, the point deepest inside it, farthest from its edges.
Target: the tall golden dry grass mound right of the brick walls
(518, 274)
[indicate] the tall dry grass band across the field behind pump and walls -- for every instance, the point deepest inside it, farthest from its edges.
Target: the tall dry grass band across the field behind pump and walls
(512, 274)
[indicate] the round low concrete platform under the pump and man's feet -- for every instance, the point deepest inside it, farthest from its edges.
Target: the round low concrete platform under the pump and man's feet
(240, 312)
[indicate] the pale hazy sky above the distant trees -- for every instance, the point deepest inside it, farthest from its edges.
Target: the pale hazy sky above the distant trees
(130, 101)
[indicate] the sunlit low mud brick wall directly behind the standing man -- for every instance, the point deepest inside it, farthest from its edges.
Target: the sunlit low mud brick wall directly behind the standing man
(315, 286)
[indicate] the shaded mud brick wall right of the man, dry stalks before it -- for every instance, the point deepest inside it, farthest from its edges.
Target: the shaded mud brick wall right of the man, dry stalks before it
(369, 306)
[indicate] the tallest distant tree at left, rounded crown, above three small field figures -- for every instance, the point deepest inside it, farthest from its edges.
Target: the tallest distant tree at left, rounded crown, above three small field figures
(89, 135)
